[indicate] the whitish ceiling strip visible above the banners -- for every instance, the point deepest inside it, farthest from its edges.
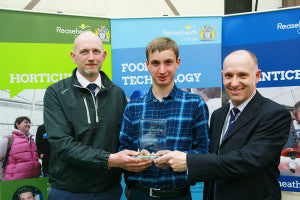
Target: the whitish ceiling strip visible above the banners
(131, 8)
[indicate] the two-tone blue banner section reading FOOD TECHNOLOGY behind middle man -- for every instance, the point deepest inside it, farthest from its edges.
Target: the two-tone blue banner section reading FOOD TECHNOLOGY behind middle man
(199, 41)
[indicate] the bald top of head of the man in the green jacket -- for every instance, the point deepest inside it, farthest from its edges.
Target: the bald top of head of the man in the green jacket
(85, 37)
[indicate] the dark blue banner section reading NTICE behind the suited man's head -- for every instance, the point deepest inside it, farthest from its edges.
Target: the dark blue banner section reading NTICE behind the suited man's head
(274, 37)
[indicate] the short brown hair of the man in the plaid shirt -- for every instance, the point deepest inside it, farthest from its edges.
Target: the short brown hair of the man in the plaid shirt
(161, 44)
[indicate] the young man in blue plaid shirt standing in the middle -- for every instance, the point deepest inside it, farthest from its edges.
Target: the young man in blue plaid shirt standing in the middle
(186, 117)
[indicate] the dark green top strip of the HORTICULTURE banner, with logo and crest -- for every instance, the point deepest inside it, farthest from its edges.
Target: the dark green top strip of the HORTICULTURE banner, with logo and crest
(30, 27)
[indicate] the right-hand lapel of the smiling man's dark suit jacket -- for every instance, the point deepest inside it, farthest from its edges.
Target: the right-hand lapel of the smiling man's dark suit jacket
(246, 116)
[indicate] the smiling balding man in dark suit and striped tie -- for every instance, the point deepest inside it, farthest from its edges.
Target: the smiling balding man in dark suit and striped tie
(243, 160)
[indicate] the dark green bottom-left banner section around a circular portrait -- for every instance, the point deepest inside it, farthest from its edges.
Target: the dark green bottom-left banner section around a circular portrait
(11, 189)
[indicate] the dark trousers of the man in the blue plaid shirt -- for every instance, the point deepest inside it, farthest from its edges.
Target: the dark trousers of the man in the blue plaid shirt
(135, 194)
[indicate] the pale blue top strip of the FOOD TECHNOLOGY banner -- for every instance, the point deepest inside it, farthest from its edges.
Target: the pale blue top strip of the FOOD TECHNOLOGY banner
(134, 33)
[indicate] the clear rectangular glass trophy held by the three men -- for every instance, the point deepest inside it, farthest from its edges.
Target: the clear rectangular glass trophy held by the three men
(152, 136)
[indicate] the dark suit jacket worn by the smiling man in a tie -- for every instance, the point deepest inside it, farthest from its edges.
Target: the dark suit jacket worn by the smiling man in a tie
(245, 166)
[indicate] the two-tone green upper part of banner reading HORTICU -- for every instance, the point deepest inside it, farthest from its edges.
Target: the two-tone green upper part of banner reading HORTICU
(36, 47)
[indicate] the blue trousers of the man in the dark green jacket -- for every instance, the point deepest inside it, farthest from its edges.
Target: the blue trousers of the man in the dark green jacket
(111, 194)
